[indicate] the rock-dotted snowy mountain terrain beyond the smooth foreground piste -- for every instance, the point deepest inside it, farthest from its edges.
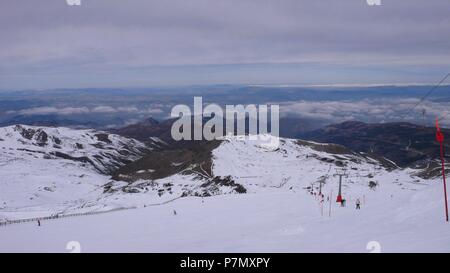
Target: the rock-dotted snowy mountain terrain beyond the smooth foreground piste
(47, 171)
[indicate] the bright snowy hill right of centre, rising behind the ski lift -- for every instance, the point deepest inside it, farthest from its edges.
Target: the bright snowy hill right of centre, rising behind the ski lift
(294, 165)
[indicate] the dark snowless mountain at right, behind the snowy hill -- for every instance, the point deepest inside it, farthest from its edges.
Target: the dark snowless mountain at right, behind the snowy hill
(404, 143)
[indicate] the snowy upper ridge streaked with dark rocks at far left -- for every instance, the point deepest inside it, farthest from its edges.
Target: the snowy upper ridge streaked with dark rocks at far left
(102, 151)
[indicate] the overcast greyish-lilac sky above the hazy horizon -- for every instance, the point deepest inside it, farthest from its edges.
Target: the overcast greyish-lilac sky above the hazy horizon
(116, 43)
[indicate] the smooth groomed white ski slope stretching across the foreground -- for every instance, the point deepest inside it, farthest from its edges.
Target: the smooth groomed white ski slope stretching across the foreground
(264, 222)
